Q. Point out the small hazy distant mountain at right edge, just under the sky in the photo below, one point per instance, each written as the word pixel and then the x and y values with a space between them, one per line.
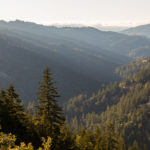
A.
pixel 143 30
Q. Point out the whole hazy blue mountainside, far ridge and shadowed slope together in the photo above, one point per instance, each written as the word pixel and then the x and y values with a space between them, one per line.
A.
pixel 82 59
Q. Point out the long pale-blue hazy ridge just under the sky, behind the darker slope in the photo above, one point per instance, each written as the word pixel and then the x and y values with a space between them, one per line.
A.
pixel 111 41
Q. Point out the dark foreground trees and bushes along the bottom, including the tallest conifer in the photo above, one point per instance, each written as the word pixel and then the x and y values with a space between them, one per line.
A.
pixel 44 125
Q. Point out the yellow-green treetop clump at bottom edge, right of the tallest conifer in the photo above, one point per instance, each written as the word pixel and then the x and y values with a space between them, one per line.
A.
pixel 105 139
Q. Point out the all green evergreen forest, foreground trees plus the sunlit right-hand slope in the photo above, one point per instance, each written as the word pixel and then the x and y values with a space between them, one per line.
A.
pixel 117 117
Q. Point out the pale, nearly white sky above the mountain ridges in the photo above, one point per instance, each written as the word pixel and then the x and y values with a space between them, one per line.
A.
pixel 109 12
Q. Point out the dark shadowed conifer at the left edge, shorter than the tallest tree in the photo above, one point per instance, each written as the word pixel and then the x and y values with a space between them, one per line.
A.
pixel 14 118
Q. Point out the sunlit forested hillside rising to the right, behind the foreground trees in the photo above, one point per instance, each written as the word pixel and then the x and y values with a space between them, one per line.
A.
pixel 126 104
